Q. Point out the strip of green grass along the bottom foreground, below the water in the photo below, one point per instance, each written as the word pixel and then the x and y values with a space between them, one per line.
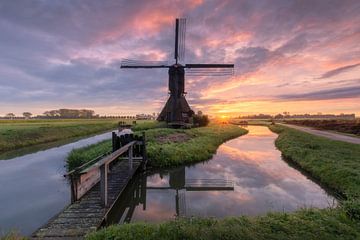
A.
pixel 304 224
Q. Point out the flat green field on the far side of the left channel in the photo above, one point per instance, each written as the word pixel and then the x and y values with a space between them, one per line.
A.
pixel 17 134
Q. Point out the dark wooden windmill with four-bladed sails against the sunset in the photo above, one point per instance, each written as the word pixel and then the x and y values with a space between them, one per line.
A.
pixel 177 111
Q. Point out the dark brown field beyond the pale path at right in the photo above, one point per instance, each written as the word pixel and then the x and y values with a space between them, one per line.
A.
pixel 344 126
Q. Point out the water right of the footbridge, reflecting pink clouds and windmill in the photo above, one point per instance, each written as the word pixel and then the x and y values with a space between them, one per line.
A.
pixel 262 182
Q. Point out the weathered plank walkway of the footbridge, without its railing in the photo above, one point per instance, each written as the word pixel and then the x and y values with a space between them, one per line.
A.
pixel 88 213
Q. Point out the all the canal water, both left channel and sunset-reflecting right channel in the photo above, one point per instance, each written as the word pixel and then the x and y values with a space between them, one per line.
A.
pixel 247 176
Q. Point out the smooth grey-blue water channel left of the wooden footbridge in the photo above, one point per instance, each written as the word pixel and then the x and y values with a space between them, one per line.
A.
pixel 33 189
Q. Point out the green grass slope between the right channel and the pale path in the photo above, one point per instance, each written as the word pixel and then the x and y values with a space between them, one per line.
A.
pixel 334 163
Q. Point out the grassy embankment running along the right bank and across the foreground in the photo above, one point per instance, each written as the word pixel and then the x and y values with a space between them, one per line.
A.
pixel 335 164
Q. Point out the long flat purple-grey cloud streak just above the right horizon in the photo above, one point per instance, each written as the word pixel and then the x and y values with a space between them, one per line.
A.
pixel 328 94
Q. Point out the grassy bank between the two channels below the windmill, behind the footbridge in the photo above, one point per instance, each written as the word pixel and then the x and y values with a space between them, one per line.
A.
pixel 168 147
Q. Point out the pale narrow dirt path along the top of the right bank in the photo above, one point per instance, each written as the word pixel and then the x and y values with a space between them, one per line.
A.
pixel 327 134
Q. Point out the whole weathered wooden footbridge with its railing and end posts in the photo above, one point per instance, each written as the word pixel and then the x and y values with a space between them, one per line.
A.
pixel 95 189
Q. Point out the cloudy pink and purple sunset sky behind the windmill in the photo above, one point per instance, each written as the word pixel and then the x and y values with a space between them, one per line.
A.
pixel 299 56
